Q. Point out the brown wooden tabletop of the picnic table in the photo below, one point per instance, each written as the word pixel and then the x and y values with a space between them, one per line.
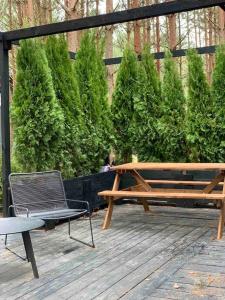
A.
pixel 171 166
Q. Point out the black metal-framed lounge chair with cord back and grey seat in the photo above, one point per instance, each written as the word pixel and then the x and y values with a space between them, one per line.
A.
pixel 42 195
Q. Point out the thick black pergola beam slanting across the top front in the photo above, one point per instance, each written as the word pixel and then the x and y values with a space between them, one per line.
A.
pixel 151 11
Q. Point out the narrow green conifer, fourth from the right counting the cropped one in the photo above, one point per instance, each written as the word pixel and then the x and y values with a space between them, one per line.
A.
pixel 147 110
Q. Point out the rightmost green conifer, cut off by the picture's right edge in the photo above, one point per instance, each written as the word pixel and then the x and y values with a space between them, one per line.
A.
pixel 218 92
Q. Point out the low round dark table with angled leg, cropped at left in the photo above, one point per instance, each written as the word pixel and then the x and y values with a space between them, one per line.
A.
pixel 21 225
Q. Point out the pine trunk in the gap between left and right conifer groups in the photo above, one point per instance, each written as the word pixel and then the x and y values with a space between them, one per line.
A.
pixel 109 49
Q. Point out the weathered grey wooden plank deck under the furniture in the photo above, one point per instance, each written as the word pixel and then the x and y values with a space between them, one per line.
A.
pixel 168 254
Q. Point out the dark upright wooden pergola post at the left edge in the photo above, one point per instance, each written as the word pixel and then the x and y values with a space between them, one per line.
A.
pixel 5 123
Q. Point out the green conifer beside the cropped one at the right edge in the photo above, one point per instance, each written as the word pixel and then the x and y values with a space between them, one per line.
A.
pixel 199 123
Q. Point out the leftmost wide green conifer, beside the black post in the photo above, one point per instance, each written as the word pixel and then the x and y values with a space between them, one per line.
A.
pixel 36 115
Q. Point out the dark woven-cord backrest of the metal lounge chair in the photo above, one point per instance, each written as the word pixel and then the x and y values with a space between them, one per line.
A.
pixel 39 191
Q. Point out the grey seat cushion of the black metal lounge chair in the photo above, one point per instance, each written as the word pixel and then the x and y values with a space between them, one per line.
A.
pixel 58 214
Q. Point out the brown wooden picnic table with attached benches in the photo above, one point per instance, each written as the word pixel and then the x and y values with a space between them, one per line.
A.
pixel 143 189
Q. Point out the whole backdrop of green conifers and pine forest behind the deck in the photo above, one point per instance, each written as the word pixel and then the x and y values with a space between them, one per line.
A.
pixel 69 114
